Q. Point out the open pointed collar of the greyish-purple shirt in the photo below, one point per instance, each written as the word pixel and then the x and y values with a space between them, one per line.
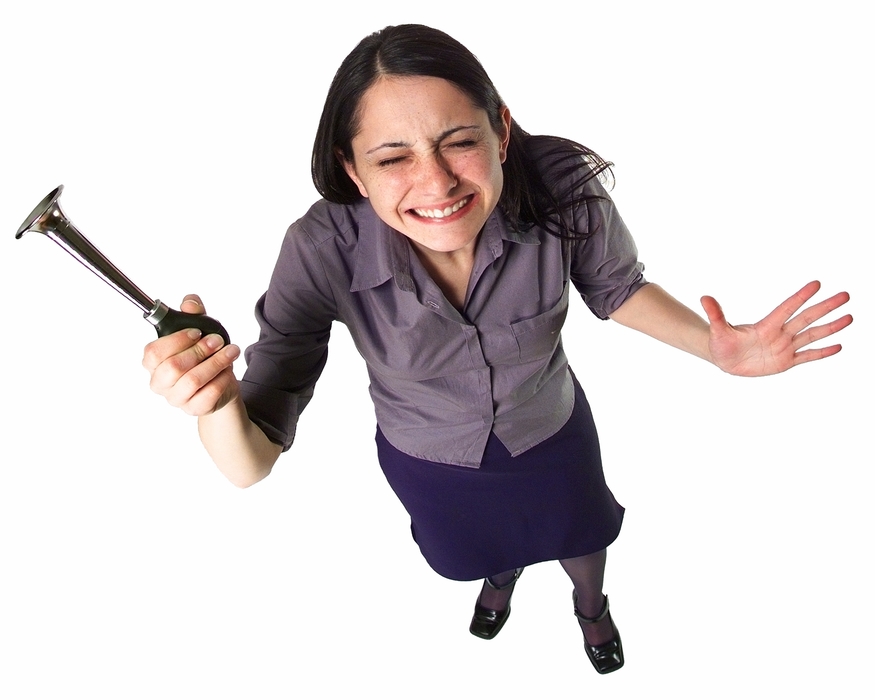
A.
pixel 383 253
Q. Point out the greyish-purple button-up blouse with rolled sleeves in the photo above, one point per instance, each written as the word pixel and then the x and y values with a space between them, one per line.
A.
pixel 441 380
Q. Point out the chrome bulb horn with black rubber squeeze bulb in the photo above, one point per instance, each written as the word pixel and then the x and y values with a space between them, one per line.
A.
pixel 48 218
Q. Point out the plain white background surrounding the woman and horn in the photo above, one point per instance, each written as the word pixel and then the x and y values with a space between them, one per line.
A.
pixel 182 132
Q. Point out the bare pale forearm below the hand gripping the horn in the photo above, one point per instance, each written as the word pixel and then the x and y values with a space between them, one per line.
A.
pixel 239 448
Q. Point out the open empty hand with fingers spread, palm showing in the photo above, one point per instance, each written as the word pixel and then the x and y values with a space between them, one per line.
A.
pixel 776 343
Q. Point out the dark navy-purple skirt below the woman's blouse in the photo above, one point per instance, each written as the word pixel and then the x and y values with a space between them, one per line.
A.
pixel 550 502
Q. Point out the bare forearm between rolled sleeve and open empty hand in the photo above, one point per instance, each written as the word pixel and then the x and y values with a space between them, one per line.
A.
pixel 656 313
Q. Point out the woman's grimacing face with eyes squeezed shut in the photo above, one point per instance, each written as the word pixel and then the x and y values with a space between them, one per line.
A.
pixel 428 160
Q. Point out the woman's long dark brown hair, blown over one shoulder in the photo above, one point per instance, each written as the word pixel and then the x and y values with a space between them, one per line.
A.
pixel 530 196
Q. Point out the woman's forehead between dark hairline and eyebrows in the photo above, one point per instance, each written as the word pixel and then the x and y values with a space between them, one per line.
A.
pixel 396 103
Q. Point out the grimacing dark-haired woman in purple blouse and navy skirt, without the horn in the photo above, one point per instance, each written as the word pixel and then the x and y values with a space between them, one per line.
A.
pixel 445 243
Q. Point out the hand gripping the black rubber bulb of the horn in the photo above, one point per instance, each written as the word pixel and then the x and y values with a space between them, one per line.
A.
pixel 192 372
